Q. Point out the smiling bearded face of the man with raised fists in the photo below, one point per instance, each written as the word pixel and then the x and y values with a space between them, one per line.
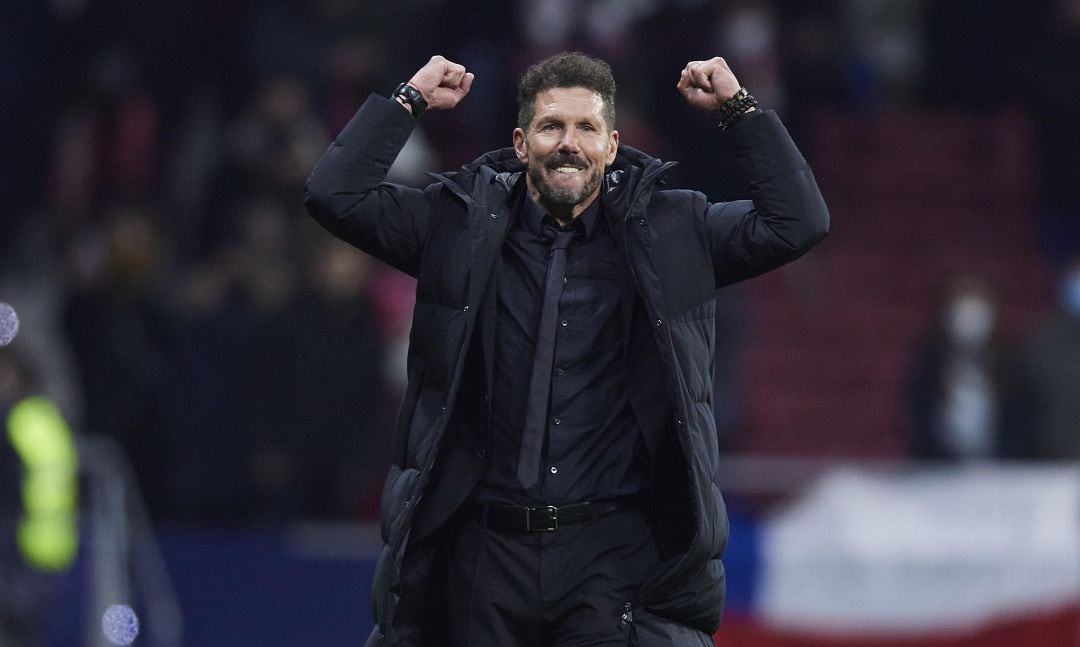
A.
pixel 566 147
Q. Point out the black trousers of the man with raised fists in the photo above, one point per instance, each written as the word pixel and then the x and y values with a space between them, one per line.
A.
pixel 562 588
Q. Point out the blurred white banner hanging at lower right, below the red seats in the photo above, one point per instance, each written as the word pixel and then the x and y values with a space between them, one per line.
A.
pixel 927 550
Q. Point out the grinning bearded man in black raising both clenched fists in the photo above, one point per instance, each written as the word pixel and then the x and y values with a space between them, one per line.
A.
pixel 556 453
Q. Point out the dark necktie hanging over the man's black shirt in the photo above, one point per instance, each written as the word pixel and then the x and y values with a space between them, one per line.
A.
pixel 536 411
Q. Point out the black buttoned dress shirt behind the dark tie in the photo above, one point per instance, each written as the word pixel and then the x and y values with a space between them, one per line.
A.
pixel 592 447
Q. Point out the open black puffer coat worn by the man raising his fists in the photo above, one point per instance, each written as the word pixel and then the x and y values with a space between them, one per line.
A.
pixel 681 249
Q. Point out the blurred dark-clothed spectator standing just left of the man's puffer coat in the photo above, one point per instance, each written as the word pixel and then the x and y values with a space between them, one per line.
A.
pixel 335 368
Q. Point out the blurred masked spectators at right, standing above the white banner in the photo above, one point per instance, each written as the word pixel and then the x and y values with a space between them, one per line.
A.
pixel 978 396
